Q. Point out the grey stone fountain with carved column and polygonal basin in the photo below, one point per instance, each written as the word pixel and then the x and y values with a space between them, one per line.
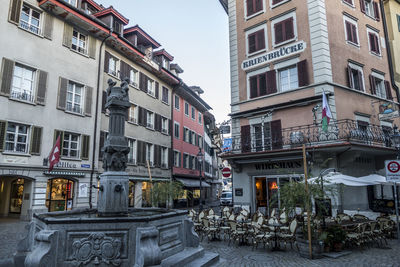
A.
pixel 112 234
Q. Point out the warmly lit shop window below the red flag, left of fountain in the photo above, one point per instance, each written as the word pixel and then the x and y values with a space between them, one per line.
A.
pixel 59 194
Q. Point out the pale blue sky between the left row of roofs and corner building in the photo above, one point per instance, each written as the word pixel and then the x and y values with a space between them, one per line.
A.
pixel 196 33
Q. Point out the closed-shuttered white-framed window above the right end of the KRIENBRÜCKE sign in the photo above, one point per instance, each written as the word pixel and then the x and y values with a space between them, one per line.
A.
pixel 284 29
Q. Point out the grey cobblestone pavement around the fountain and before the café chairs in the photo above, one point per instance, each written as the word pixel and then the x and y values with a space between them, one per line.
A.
pixel 12 230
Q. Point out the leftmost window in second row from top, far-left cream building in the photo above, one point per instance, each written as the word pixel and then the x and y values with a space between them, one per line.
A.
pixel 23 83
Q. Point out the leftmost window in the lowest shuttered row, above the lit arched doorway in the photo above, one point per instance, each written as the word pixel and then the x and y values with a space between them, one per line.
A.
pixel 17 138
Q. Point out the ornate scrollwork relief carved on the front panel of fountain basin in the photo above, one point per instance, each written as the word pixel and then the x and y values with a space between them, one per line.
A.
pixel 97 248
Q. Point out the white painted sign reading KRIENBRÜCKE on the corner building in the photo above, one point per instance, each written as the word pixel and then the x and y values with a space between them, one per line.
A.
pixel 279 53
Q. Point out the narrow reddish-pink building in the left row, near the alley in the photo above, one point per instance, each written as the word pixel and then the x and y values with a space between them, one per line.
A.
pixel 188 138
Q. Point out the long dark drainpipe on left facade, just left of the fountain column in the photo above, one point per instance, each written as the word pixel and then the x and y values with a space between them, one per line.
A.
pixel 95 119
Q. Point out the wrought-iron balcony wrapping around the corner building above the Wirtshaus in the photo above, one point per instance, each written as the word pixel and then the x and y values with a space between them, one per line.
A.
pixel 312 135
